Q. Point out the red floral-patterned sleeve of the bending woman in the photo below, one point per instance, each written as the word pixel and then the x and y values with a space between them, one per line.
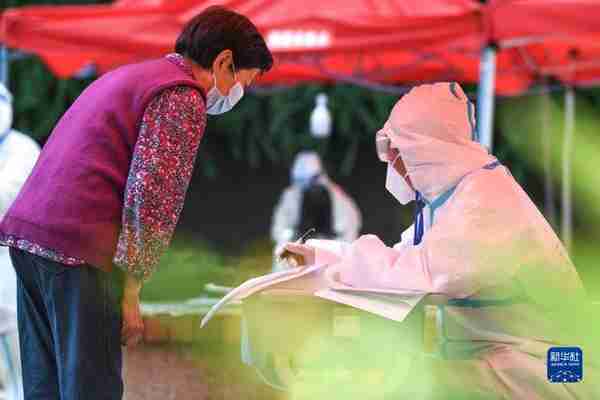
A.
pixel 161 168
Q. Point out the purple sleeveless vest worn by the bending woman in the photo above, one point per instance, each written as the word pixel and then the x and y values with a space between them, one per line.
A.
pixel 73 199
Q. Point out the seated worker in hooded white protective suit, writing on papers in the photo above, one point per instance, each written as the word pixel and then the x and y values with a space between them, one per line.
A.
pixel 479 240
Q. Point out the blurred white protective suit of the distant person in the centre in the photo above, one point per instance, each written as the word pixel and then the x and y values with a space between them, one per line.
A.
pixel 347 219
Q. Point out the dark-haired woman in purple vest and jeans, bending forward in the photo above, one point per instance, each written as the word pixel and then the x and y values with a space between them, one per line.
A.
pixel 107 192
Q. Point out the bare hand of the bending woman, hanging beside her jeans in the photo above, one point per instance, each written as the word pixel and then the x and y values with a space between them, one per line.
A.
pixel 132 330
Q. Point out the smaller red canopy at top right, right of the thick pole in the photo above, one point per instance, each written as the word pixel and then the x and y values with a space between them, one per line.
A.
pixel 558 38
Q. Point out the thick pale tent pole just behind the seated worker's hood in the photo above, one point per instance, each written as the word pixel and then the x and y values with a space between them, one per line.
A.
pixel 485 97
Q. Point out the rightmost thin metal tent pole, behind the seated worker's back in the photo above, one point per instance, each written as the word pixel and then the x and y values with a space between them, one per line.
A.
pixel 567 200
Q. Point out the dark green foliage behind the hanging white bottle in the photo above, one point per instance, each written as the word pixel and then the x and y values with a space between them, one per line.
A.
pixel 273 128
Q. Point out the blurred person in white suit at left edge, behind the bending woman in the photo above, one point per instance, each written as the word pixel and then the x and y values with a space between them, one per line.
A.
pixel 18 154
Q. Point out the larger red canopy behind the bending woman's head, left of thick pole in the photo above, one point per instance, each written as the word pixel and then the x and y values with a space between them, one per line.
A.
pixel 387 41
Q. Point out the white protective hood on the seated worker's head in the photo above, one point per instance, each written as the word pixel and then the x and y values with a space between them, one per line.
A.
pixel 433 128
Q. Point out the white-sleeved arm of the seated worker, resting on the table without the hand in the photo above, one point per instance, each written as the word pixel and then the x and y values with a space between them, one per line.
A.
pixel 473 244
